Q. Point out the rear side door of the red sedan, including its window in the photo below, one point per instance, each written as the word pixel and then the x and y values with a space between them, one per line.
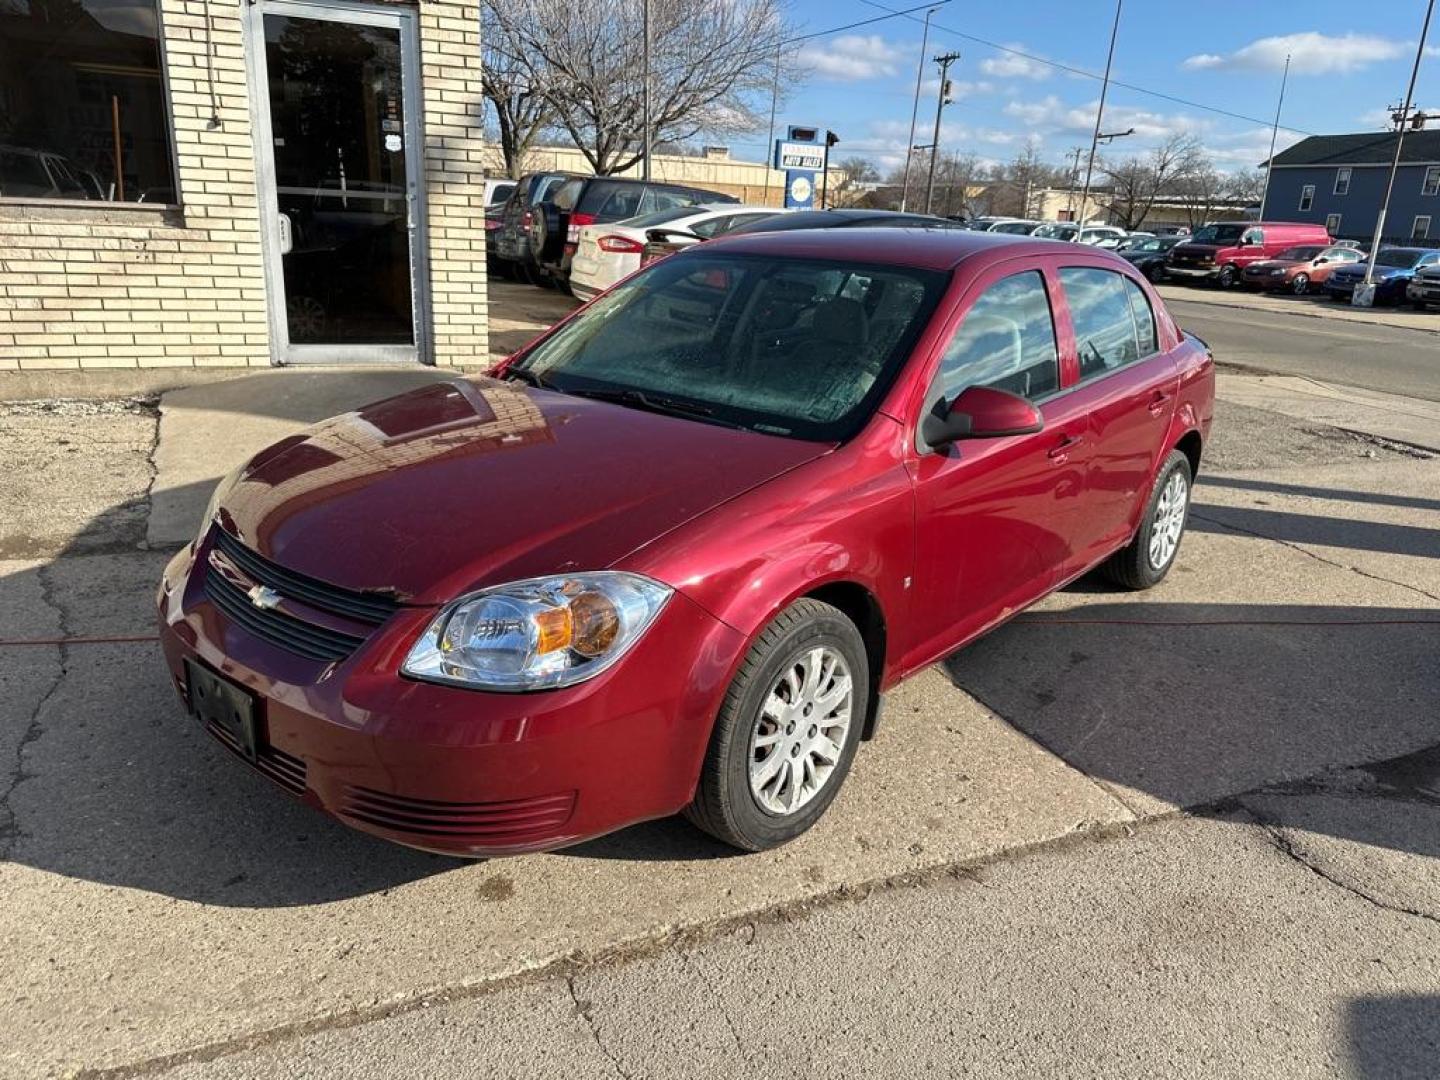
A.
pixel 1125 382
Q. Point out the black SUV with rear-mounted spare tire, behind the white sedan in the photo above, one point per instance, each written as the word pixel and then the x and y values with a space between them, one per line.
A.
pixel 555 228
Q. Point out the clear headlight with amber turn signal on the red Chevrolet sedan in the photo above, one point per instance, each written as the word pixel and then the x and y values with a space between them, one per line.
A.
pixel 538 634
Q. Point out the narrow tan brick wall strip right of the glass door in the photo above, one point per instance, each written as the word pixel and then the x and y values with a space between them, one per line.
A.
pixel 456 179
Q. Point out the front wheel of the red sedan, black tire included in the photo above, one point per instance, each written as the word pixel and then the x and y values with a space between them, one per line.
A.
pixel 726 803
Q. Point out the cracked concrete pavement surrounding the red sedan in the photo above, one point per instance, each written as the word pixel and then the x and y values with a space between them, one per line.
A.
pixel 1120 816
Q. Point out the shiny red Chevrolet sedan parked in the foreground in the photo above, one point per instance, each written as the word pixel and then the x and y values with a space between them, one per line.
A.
pixel 673 554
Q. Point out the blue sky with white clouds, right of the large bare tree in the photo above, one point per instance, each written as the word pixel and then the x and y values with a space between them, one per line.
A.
pixel 1223 54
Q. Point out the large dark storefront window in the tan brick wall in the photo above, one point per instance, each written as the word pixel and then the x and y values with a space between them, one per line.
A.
pixel 83 107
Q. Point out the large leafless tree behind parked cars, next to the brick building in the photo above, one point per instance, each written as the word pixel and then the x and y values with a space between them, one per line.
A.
pixel 711 61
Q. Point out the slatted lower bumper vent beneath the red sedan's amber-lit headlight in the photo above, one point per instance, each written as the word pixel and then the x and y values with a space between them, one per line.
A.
pixel 515 822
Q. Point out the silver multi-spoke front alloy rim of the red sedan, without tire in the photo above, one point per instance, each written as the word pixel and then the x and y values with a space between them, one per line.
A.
pixel 800 734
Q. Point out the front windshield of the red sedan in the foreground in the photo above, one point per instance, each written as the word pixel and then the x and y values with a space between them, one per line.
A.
pixel 798 348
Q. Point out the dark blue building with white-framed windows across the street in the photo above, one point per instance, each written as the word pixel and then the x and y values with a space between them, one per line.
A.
pixel 1340 182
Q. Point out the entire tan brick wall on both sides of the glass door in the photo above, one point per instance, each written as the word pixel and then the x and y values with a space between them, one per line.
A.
pixel 87 286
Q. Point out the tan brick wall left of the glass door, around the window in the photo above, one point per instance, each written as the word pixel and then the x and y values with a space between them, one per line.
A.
pixel 136 287
